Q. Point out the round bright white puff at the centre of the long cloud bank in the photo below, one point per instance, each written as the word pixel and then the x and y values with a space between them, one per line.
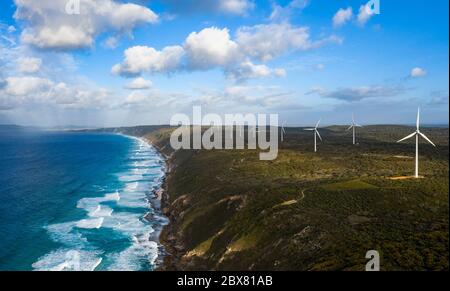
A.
pixel 210 47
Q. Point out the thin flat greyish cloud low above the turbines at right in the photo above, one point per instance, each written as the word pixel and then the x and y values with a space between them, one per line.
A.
pixel 358 93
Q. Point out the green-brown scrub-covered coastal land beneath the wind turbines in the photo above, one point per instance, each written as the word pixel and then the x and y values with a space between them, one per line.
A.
pixel 309 211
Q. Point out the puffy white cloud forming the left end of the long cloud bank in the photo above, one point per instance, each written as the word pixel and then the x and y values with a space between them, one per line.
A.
pixel 139 59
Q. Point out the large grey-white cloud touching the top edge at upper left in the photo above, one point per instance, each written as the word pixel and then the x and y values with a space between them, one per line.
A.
pixel 48 26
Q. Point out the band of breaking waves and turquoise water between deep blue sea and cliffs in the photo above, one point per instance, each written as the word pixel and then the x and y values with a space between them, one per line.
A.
pixel 114 231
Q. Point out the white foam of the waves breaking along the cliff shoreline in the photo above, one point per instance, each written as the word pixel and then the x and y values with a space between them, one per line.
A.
pixel 143 174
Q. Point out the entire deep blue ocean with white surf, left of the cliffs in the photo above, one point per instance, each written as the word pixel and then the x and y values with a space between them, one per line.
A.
pixel 79 201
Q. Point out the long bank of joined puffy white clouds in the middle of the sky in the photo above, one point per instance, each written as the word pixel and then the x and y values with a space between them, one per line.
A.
pixel 215 48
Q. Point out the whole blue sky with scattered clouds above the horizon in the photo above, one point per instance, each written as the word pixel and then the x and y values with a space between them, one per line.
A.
pixel 122 63
